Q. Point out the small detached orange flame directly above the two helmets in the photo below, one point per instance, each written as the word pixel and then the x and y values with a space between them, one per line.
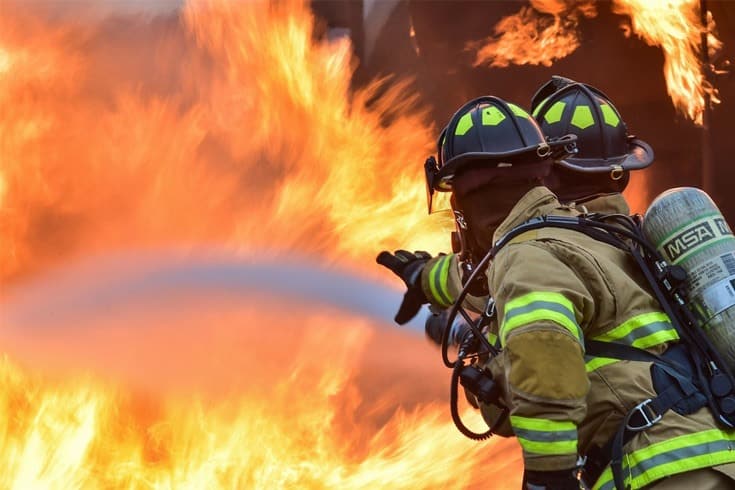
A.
pixel 527 38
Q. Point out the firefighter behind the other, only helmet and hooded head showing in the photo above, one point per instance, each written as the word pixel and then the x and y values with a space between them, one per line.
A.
pixel 598 174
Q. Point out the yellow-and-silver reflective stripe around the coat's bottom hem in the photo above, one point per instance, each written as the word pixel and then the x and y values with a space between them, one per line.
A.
pixel 672 456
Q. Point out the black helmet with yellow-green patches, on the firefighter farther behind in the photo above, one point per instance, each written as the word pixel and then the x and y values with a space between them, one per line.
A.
pixel 603 142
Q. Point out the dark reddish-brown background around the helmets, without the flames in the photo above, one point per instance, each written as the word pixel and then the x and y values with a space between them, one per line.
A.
pixel 427 40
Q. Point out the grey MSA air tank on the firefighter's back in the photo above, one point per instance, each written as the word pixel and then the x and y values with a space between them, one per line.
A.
pixel 687 228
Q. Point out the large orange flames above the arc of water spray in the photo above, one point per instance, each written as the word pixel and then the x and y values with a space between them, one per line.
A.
pixel 256 141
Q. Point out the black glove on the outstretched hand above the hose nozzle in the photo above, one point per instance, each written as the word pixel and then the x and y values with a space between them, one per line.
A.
pixel 407 266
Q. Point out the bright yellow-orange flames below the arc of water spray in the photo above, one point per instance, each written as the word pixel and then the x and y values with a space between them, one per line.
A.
pixel 301 422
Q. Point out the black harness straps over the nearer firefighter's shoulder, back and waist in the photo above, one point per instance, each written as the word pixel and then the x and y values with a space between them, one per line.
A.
pixel 711 374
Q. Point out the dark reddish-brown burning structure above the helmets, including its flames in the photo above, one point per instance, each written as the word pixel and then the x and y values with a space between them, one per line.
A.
pixel 638 56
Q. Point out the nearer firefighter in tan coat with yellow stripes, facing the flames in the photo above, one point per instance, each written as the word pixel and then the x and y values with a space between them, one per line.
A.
pixel 553 289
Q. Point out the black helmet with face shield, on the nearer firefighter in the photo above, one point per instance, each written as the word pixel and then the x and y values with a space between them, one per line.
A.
pixel 488 132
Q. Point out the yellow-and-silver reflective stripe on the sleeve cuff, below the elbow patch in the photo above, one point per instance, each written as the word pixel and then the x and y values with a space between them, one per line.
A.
pixel 545 437
